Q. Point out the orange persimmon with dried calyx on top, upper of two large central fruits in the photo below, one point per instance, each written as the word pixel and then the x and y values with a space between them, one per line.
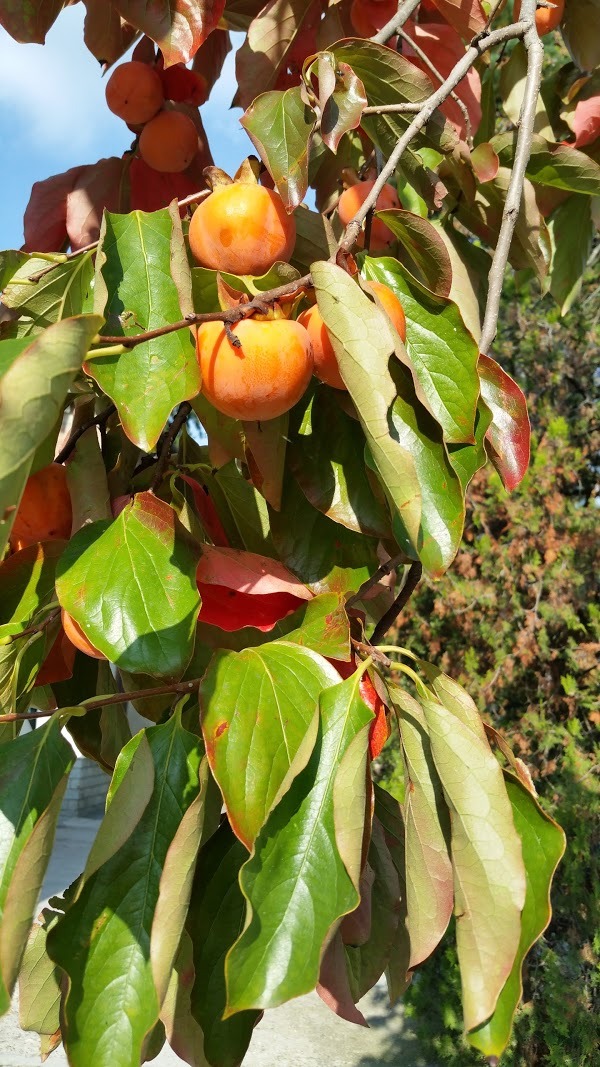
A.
pixel 243 230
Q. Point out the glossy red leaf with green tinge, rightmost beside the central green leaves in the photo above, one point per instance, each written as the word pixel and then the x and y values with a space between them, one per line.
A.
pixel 509 438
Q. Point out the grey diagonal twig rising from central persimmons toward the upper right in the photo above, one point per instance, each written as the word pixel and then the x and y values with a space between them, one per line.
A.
pixel 480 45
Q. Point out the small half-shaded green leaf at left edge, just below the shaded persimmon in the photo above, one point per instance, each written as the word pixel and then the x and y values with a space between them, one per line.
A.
pixel 27 581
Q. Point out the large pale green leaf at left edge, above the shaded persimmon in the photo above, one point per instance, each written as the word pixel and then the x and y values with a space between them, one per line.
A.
pixel 33 391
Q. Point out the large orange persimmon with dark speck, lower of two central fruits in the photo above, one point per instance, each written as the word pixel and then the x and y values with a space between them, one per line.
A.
pixel 263 378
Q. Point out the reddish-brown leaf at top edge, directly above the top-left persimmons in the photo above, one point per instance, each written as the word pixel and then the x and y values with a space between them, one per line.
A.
pixel 178 27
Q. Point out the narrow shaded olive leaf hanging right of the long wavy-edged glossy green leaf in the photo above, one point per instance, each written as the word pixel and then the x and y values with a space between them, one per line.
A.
pixel 367 963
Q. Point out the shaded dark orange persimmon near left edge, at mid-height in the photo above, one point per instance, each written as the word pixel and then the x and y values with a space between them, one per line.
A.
pixel 45 512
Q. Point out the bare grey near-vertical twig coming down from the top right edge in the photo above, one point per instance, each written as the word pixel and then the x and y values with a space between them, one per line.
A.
pixel 513 203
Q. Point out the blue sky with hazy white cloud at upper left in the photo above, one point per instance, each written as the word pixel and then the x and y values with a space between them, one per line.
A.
pixel 54 116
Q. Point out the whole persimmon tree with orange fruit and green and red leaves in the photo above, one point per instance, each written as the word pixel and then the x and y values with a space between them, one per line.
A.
pixel 236 432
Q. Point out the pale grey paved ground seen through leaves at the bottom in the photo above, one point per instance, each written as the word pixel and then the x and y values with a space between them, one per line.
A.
pixel 301 1034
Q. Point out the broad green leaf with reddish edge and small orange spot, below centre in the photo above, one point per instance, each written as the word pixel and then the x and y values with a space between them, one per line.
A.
pixel 260 712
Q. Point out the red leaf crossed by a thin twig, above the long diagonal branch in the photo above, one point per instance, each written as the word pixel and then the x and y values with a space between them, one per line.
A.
pixel 445 49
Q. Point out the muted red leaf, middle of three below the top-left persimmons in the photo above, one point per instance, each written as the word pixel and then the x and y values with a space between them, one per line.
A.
pixel 102 185
